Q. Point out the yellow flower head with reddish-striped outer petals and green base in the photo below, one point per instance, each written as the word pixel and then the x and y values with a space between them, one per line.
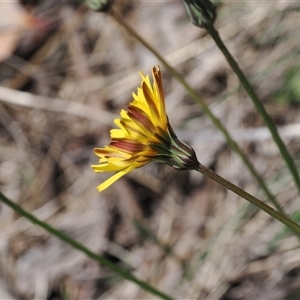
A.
pixel 144 135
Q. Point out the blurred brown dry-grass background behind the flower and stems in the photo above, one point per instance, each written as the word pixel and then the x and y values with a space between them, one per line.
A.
pixel 65 73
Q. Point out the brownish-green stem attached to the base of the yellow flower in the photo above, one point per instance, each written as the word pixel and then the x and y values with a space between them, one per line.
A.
pixel 261 205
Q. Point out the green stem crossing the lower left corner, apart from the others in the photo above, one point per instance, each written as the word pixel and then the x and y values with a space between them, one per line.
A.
pixel 65 238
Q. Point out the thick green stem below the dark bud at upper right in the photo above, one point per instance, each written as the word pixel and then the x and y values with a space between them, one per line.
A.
pixel 257 103
